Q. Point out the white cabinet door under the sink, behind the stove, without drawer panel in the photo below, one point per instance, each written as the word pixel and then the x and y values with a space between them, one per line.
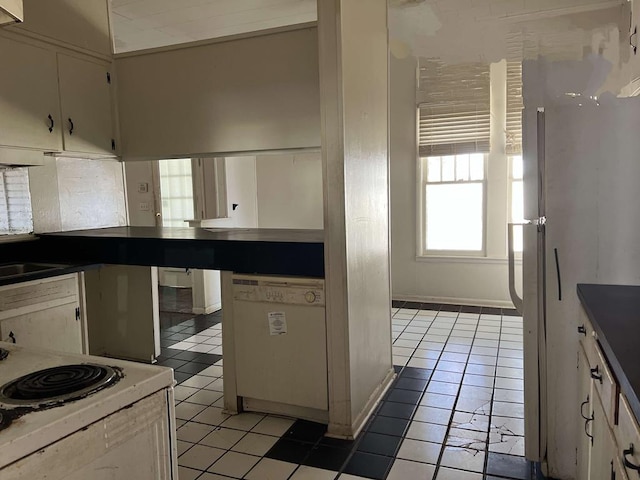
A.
pixel 57 328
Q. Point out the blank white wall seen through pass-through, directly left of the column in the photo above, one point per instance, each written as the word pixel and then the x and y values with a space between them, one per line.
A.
pixel 289 191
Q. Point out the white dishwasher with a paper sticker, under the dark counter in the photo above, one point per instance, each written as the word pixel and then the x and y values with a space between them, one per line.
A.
pixel 280 344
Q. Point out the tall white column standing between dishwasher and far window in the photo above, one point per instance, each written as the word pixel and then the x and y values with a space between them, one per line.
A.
pixel 354 120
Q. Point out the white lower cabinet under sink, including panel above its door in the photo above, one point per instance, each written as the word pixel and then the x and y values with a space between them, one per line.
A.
pixel 43 313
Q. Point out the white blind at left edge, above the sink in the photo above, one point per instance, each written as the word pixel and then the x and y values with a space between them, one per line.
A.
pixel 15 201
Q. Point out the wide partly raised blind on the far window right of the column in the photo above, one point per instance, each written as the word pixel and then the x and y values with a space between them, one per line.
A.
pixel 455 114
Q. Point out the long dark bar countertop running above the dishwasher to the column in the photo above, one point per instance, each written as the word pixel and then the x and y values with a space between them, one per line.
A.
pixel 243 250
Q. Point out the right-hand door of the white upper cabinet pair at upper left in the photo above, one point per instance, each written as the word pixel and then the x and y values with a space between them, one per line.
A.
pixel 85 99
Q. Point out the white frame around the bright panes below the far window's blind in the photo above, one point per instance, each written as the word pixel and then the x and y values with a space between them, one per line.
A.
pixel 423 251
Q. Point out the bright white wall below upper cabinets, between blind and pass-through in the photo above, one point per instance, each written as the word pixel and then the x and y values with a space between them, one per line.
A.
pixel 75 193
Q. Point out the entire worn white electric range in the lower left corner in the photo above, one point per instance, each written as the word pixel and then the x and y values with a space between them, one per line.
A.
pixel 74 417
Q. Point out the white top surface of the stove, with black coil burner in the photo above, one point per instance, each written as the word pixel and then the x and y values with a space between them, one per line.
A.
pixel 32 424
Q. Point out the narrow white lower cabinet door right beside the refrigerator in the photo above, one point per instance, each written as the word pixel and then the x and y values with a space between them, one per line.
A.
pixel 584 413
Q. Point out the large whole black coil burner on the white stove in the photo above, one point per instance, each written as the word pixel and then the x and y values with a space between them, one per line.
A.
pixel 58 384
